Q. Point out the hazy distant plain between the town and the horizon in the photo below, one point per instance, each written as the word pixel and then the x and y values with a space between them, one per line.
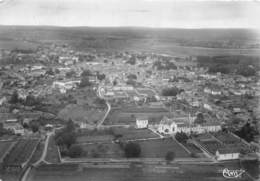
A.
pixel 165 41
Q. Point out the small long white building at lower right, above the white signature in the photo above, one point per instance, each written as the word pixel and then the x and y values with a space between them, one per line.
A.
pixel 227 154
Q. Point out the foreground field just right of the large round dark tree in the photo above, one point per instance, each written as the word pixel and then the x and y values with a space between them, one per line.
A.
pixel 159 148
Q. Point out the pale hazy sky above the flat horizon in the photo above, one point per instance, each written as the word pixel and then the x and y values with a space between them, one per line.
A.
pixel 144 13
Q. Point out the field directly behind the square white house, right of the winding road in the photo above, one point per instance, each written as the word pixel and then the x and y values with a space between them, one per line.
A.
pixel 127 116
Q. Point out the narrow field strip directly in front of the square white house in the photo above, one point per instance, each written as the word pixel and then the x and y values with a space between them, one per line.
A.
pixel 132 134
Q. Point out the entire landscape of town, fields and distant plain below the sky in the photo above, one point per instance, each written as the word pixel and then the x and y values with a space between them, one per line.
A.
pixel 128 103
